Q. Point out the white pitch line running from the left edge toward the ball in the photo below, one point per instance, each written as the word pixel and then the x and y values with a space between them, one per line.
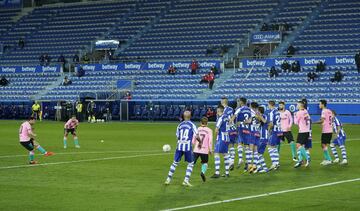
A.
pixel 81 161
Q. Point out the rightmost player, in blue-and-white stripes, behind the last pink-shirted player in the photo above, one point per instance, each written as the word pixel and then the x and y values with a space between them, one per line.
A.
pixel 339 141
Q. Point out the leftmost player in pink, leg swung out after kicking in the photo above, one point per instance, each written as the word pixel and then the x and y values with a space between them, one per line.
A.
pixel 27 140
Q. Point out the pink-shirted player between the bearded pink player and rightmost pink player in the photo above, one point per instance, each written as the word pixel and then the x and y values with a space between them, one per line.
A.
pixel 302 119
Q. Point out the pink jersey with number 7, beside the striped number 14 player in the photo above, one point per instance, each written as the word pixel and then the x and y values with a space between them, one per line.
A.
pixel 205 134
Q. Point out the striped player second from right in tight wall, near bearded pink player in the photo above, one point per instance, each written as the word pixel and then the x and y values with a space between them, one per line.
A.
pixel 264 137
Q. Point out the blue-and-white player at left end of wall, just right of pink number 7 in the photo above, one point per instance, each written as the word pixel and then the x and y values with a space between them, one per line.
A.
pixel 222 142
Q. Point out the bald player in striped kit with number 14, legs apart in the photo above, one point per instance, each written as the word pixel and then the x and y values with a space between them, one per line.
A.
pixel 184 133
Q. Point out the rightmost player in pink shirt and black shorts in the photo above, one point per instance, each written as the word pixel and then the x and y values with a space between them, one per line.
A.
pixel 326 120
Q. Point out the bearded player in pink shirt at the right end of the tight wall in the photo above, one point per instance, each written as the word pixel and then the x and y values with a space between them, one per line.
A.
pixel 286 124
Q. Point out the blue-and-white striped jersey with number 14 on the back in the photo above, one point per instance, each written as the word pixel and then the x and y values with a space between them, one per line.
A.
pixel 184 133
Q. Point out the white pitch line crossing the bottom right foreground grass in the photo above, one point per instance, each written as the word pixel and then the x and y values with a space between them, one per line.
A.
pixel 263 195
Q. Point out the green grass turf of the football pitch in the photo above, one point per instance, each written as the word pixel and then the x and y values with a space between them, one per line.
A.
pixel 137 183
